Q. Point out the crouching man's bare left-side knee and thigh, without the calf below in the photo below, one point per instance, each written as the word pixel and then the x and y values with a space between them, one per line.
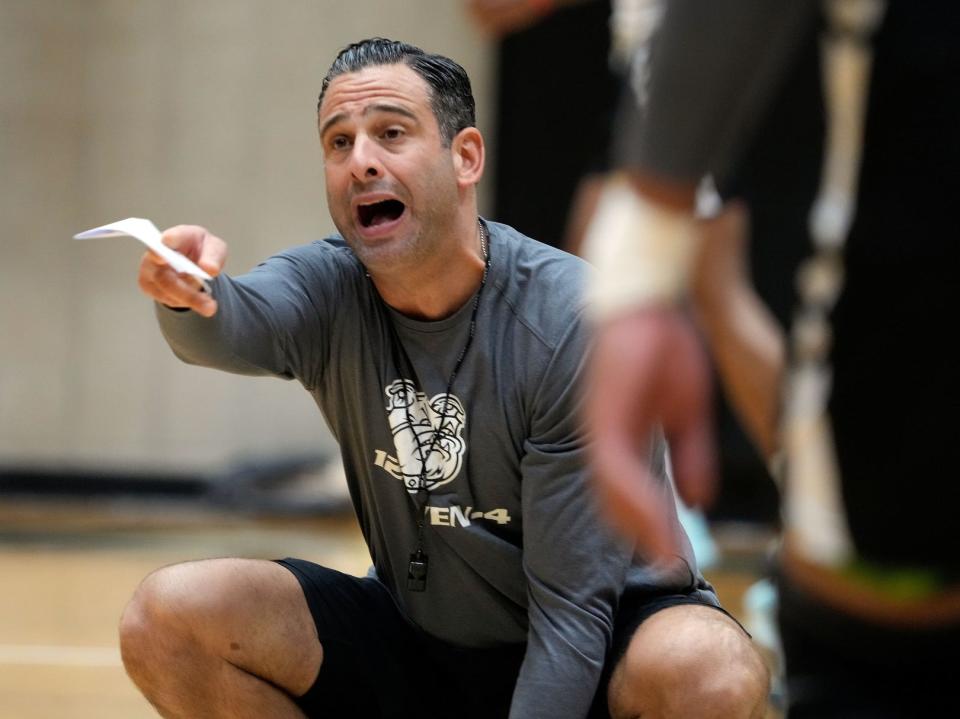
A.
pixel 190 618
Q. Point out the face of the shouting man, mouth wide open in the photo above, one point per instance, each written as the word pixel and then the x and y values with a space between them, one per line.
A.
pixel 391 185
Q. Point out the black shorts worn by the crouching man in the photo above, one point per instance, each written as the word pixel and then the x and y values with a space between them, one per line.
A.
pixel 378 664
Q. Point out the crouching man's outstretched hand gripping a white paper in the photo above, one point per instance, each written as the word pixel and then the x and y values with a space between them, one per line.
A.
pixel 160 282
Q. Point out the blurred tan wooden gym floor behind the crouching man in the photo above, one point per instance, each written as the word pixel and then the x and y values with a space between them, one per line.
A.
pixel 66 572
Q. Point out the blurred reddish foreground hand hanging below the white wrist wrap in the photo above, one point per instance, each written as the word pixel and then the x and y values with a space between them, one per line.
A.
pixel 648 368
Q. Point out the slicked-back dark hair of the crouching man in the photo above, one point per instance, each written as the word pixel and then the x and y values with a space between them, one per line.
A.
pixel 451 98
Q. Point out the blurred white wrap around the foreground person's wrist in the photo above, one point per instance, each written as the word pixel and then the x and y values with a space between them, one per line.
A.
pixel 643 252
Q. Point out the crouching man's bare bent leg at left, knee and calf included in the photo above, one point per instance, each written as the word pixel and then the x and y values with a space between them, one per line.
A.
pixel 221 638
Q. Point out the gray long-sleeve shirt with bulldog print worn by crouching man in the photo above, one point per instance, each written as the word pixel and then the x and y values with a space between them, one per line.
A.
pixel 516 550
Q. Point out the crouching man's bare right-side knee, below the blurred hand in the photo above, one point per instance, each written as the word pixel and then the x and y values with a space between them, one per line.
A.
pixel 689 661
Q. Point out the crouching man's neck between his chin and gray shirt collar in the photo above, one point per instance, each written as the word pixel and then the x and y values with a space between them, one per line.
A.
pixel 440 288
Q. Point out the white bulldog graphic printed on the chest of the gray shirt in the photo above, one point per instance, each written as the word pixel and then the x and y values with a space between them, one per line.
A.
pixel 415 423
